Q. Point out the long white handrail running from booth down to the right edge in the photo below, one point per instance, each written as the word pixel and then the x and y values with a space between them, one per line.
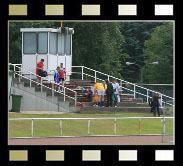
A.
pixel 123 81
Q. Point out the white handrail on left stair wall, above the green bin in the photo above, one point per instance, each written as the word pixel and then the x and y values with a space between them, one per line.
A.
pixel 20 68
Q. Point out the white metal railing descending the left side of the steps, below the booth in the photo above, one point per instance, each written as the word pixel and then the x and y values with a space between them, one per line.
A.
pixel 20 75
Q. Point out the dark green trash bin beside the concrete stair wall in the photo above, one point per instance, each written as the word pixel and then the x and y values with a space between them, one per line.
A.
pixel 16 102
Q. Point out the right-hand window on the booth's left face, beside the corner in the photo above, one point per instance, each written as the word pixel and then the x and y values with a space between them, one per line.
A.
pixel 42 43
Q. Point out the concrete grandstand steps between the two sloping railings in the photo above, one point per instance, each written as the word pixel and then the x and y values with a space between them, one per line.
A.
pixel 127 101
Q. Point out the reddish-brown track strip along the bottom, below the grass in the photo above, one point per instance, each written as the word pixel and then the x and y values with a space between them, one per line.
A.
pixel 108 140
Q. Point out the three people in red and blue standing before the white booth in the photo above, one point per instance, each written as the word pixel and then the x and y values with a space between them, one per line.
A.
pixel 59 75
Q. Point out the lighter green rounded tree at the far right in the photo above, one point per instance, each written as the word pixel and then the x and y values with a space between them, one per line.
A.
pixel 159 48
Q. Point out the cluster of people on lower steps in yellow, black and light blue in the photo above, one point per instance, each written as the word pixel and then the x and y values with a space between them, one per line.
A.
pixel 110 89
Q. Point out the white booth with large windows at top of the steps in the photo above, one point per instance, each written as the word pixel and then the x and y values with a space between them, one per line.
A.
pixel 52 45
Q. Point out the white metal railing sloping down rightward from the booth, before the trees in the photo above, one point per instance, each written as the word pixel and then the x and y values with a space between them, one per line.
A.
pixel 133 90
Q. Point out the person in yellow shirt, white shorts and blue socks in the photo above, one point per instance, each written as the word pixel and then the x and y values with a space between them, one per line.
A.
pixel 101 91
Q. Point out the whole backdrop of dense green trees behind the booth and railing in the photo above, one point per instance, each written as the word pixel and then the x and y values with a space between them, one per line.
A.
pixel 107 46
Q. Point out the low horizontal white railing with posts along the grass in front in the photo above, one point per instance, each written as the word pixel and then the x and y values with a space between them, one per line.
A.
pixel 163 119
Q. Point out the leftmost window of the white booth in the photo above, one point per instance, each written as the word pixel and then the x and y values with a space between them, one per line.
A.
pixel 30 43
